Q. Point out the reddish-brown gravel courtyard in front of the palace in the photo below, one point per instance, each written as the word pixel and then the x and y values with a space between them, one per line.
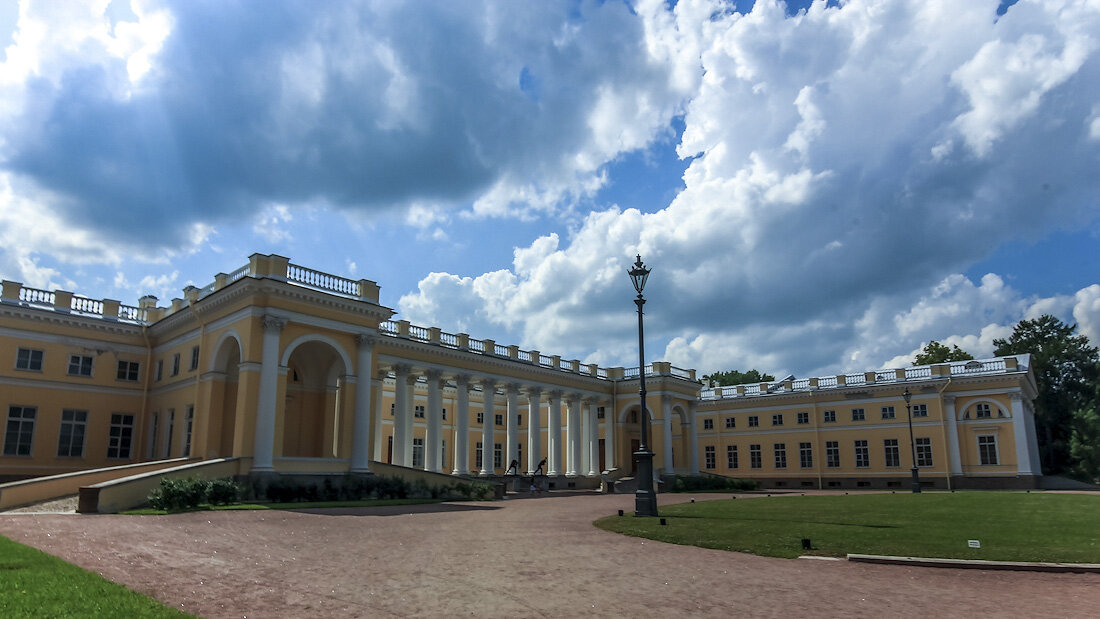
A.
pixel 524 557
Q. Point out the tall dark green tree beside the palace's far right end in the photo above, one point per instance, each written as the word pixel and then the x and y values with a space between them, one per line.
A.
pixel 1066 370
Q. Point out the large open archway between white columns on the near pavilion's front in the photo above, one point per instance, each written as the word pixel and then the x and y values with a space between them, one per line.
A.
pixel 314 392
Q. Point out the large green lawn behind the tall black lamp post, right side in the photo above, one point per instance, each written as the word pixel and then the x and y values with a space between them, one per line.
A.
pixel 1010 526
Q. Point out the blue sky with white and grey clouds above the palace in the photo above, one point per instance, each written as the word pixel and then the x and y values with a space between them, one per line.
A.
pixel 818 187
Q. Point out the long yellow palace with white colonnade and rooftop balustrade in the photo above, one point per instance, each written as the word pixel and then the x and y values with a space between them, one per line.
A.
pixel 293 371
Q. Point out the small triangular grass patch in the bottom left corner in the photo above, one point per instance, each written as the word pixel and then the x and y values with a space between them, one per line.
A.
pixel 36 584
